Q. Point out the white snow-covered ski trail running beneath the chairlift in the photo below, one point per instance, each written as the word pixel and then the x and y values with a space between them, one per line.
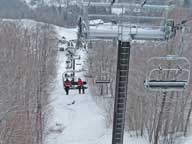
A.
pixel 82 122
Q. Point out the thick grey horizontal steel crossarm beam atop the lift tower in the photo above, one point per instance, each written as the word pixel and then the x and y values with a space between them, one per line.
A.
pixel 108 31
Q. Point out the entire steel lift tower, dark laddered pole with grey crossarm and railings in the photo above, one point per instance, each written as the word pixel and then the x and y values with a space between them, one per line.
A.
pixel 98 25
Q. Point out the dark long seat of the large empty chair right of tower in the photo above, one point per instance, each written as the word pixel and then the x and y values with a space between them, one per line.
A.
pixel 166 84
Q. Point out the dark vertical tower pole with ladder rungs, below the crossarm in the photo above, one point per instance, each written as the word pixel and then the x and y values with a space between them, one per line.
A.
pixel 121 91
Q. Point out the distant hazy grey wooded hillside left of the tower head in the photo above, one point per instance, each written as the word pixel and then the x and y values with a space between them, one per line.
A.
pixel 61 15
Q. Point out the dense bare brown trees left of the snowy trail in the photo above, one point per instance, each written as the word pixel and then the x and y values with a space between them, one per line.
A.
pixel 27 60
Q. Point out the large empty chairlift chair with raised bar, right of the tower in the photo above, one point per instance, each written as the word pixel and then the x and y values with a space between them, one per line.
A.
pixel 168 75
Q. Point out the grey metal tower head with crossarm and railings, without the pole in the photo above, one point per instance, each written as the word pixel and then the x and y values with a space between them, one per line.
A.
pixel 108 30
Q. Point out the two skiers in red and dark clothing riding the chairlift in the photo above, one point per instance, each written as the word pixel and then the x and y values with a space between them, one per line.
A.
pixel 68 84
